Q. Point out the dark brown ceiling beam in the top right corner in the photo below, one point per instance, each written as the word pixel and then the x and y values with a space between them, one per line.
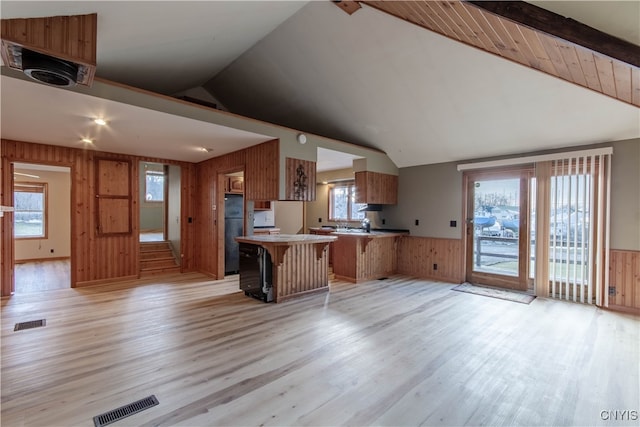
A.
pixel 568 29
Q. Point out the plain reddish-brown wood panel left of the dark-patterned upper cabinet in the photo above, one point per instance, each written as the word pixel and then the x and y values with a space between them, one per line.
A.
pixel 262 171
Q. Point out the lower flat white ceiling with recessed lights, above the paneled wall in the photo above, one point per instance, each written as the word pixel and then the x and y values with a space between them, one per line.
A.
pixel 38 113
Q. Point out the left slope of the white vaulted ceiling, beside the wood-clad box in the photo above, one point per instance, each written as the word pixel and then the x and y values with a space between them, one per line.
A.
pixel 166 46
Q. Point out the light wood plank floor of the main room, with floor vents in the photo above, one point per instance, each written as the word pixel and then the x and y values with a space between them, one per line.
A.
pixel 393 352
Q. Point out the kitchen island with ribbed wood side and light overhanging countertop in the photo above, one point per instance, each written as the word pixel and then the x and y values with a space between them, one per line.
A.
pixel 299 263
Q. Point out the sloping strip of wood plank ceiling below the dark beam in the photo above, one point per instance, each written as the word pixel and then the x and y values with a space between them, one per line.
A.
pixel 469 24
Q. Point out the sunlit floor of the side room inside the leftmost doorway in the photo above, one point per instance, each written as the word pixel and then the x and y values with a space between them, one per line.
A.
pixel 39 276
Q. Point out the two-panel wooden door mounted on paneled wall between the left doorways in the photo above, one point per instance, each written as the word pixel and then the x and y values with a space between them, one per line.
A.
pixel 113 197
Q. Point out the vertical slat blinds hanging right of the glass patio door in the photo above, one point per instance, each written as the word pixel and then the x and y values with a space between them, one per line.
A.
pixel 578 238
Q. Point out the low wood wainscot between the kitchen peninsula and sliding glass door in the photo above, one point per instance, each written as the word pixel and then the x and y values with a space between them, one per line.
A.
pixel 417 256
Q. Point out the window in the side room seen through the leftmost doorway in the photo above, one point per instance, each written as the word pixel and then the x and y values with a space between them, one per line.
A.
pixel 30 210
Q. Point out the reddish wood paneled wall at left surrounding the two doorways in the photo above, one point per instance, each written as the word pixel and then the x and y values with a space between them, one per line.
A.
pixel 94 259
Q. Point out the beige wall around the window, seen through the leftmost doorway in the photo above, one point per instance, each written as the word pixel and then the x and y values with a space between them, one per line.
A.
pixel 58 218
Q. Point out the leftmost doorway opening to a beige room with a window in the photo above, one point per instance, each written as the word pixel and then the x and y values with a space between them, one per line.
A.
pixel 42 227
